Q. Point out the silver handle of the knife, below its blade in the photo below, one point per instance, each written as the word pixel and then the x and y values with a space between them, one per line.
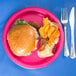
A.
pixel 72 52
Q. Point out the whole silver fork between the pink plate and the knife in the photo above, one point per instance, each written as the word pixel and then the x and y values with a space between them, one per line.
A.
pixel 64 20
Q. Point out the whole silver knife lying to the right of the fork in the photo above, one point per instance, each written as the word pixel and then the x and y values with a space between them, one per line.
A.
pixel 72 22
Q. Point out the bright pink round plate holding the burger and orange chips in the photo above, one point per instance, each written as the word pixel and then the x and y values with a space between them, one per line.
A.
pixel 32 61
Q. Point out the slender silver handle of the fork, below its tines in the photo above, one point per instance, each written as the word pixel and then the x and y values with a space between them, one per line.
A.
pixel 66 50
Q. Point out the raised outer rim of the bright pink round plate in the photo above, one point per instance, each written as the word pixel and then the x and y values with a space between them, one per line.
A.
pixel 16 61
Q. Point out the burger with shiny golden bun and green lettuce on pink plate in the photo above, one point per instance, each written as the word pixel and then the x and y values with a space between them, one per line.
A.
pixel 22 38
